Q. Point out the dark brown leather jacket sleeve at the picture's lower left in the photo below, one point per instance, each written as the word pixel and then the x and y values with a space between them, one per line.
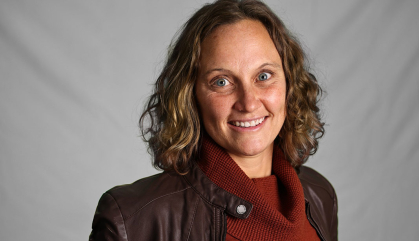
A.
pixel 108 223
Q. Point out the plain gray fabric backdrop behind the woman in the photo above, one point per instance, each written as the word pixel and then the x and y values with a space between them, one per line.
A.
pixel 74 76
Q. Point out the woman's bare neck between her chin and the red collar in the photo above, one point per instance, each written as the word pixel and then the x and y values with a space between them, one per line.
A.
pixel 255 166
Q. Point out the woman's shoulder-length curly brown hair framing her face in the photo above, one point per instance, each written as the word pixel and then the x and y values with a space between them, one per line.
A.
pixel 170 122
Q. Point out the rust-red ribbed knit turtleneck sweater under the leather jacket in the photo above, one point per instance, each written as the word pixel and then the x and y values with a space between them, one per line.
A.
pixel 278 201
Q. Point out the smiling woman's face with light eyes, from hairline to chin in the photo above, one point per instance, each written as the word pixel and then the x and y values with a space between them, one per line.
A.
pixel 241 88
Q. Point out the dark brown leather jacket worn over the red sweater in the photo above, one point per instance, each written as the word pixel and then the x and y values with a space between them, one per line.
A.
pixel 168 206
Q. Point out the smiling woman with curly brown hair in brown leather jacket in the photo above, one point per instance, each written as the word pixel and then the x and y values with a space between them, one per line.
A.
pixel 232 119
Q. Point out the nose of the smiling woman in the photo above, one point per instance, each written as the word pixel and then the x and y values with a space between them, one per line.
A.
pixel 247 99
